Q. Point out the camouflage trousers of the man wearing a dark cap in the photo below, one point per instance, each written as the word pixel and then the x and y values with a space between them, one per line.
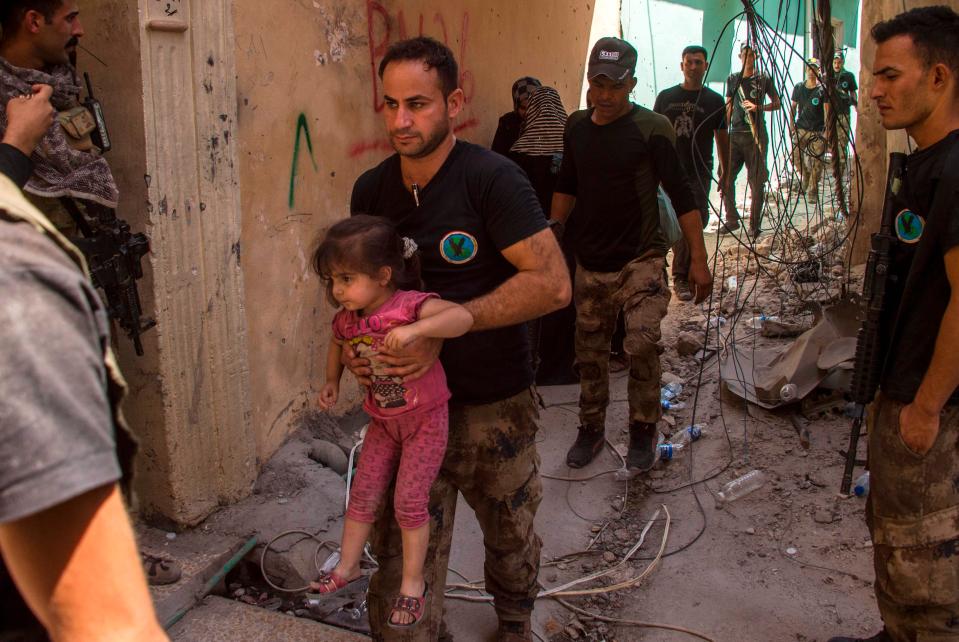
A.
pixel 641 292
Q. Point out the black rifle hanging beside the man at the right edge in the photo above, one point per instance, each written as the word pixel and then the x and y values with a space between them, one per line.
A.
pixel 868 363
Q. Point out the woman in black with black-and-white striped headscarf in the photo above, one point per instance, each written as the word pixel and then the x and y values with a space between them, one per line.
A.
pixel 539 151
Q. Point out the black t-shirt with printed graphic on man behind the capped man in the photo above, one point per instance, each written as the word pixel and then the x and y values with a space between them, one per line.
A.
pixel 695 115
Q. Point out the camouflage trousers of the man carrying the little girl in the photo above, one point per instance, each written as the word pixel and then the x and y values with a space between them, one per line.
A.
pixel 491 458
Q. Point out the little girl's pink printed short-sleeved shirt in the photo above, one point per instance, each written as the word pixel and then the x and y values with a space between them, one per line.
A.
pixel 389 396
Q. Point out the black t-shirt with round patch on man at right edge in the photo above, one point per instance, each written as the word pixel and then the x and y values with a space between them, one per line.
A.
pixel 919 290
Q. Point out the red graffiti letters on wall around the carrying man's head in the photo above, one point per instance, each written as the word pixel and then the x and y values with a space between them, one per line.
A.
pixel 380 32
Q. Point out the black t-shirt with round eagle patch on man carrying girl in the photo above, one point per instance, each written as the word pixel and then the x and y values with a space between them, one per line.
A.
pixel 478 204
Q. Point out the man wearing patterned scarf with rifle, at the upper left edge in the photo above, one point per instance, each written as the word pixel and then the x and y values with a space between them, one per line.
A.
pixel 64 175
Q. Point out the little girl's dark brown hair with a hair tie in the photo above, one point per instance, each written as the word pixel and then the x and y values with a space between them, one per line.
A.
pixel 365 244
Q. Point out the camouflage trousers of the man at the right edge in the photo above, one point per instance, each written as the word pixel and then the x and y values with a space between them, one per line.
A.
pixel 913 517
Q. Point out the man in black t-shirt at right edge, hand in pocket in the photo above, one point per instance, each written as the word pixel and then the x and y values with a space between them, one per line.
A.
pixel 909 343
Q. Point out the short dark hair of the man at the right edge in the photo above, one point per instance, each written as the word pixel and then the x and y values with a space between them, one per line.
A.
pixel 934 32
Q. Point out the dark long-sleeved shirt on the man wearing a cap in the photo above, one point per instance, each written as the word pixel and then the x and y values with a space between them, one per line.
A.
pixel 613 170
